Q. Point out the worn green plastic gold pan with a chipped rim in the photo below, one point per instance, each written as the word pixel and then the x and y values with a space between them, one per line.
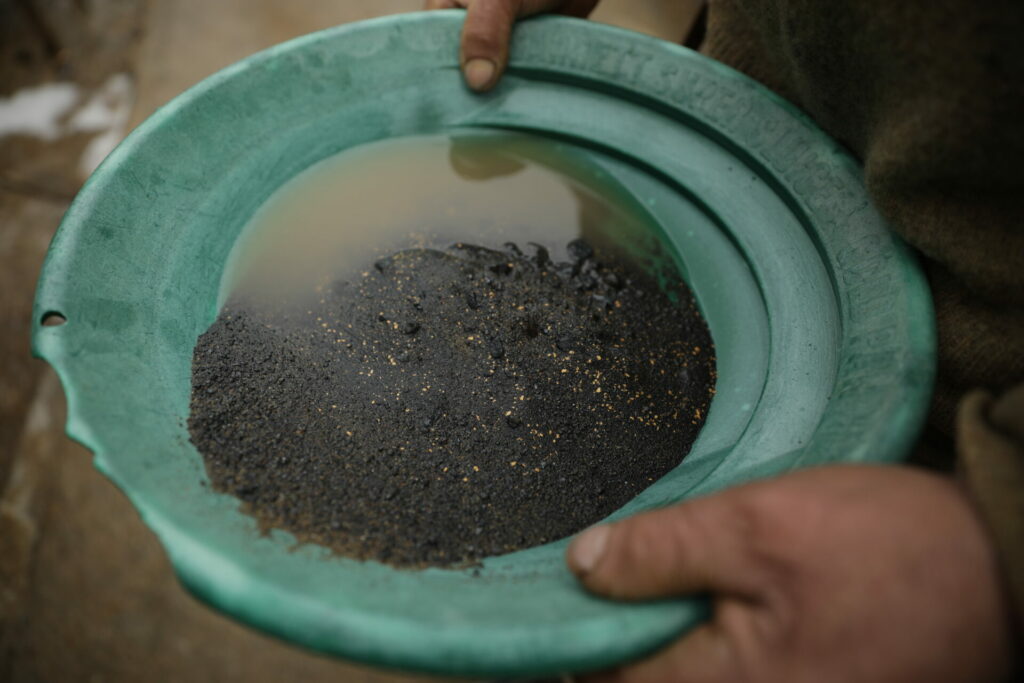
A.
pixel 822 320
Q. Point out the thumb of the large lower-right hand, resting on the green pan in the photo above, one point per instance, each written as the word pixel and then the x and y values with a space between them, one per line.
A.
pixel 702 546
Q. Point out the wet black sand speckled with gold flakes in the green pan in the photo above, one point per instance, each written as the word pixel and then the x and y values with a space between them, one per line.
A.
pixel 447 406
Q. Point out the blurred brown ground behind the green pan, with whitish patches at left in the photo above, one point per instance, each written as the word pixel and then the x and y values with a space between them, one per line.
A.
pixel 87 593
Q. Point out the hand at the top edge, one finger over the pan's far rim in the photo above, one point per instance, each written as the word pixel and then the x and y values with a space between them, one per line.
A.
pixel 486 34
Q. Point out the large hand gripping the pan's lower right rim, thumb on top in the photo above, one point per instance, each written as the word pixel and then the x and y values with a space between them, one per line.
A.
pixel 852 574
